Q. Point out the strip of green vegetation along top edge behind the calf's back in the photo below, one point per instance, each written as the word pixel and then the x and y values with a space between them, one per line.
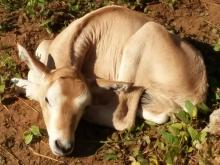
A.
pixel 54 18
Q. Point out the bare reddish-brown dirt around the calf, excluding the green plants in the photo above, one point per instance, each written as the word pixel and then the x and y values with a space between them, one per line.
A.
pixel 196 20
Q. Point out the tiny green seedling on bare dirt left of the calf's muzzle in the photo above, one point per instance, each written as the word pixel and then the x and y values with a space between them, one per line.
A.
pixel 33 133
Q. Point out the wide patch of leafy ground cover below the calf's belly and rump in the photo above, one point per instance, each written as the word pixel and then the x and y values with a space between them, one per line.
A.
pixel 171 143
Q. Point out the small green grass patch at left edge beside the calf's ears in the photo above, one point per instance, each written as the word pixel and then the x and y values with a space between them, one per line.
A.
pixel 8 69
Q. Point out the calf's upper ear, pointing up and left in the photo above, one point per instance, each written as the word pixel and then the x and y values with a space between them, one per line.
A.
pixel 32 62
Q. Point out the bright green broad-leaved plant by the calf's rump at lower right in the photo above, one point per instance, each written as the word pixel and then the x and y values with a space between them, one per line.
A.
pixel 180 136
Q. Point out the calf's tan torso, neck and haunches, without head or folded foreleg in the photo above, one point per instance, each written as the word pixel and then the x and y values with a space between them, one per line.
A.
pixel 145 55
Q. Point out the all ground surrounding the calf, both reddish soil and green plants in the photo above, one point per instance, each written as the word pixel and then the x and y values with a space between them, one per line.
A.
pixel 181 141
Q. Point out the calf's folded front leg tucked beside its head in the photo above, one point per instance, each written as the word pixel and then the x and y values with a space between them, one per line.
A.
pixel 121 110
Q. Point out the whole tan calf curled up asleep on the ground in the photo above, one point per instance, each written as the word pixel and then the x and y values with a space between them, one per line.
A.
pixel 151 71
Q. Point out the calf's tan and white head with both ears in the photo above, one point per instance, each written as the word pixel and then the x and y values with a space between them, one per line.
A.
pixel 63 96
